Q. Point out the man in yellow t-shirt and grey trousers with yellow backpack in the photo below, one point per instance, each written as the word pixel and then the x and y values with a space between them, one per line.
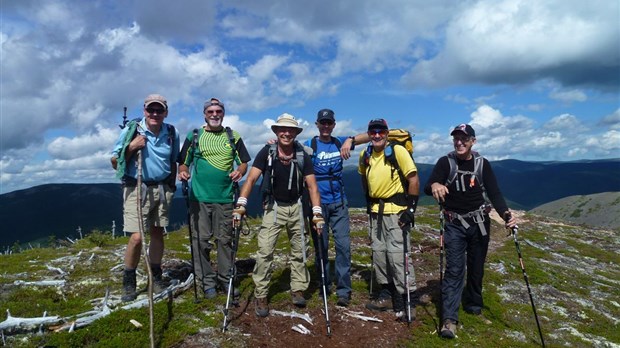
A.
pixel 389 177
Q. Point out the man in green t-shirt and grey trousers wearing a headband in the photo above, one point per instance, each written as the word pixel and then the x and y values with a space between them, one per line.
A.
pixel 213 151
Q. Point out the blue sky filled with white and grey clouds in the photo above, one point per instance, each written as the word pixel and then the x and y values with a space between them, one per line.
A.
pixel 538 80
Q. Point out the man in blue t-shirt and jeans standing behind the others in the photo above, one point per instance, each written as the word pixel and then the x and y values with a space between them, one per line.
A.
pixel 328 163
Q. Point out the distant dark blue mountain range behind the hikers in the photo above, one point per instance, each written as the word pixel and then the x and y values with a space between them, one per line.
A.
pixel 59 209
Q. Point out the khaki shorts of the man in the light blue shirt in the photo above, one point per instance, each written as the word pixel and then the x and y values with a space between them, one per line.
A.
pixel 155 207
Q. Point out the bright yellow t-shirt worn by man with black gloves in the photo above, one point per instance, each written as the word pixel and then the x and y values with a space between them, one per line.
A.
pixel 383 182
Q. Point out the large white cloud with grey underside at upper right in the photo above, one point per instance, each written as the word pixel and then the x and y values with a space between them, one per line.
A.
pixel 517 41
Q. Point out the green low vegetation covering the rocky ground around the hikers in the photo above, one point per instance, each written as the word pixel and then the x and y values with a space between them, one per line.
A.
pixel 573 274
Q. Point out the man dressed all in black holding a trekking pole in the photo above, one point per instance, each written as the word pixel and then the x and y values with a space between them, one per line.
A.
pixel 467 223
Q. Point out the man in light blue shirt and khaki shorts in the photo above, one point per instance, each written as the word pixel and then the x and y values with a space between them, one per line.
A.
pixel 159 143
